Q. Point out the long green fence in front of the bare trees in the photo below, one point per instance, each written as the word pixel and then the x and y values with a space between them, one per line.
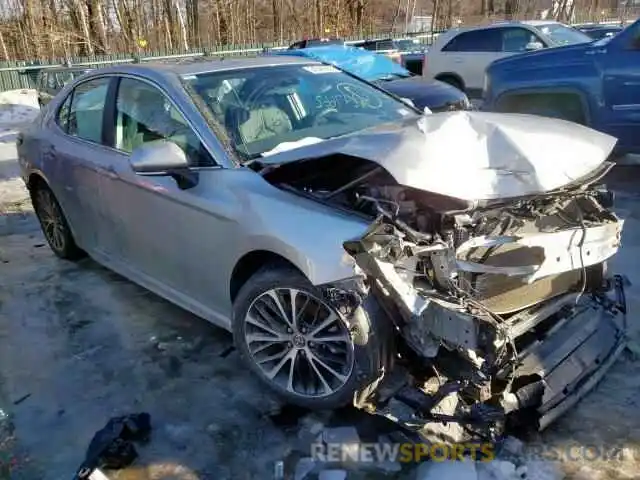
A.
pixel 18 75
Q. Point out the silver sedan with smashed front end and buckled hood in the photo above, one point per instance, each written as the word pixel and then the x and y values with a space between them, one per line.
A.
pixel 446 271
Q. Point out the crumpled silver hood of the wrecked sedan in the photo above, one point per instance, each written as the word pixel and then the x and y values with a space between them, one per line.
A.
pixel 473 156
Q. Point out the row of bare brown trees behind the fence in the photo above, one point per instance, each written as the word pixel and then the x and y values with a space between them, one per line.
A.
pixel 51 29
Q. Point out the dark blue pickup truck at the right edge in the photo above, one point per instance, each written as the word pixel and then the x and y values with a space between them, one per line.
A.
pixel 596 84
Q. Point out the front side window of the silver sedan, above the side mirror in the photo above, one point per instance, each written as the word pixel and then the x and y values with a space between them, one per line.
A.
pixel 145 114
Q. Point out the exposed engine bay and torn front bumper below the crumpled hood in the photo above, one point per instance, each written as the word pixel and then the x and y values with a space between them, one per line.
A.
pixel 505 312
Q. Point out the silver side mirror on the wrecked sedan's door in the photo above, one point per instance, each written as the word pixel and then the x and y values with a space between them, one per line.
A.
pixel 163 158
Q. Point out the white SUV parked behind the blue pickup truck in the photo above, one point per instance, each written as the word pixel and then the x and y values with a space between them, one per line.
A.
pixel 460 56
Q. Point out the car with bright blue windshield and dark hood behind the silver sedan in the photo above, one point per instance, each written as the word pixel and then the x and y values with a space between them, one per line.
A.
pixel 376 68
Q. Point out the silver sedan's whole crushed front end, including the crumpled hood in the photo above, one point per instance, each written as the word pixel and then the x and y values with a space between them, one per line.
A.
pixel 487 251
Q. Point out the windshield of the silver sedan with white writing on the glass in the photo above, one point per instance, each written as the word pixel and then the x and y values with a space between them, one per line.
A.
pixel 262 108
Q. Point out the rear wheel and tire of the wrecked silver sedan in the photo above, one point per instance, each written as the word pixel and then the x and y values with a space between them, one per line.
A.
pixel 61 240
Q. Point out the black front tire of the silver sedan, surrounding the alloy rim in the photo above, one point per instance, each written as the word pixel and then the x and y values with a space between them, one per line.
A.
pixel 370 333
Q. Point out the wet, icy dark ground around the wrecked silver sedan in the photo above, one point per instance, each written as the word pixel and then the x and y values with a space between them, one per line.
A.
pixel 79 344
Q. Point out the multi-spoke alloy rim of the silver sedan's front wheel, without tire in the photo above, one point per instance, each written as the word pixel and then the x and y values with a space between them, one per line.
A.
pixel 299 342
